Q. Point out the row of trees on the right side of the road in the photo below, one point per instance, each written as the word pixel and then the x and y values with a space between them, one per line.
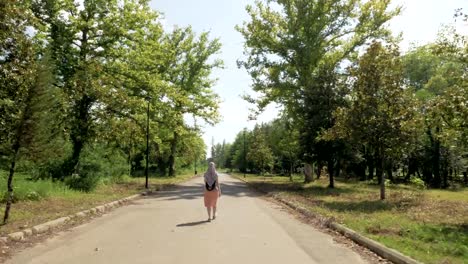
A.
pixel 352 103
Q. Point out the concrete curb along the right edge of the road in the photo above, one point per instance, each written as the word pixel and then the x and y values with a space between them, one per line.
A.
pixel 375 246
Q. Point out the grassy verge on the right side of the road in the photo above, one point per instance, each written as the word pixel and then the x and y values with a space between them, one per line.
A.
pixel 428 225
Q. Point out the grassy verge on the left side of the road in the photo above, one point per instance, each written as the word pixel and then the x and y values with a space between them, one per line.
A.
pixel 41 201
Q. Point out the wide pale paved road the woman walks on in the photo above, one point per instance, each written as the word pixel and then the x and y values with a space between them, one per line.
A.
pixel 171 228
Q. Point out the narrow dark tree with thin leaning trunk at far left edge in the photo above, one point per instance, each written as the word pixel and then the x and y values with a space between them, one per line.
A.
pixel 18 70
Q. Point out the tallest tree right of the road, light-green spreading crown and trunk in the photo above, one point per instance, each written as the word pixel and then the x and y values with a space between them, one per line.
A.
pixel 294 49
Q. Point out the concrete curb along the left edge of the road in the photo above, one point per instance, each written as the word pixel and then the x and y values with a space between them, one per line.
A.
pixel 45 227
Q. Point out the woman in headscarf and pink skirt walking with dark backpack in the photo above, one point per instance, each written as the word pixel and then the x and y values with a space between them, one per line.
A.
pixel 212 190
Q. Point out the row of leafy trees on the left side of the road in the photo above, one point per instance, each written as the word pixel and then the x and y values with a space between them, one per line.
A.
pixel 83 77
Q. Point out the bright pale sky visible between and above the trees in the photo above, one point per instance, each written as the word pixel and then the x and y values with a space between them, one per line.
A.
pixel 419 23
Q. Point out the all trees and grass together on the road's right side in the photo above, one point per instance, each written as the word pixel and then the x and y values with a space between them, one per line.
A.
pixel 369 134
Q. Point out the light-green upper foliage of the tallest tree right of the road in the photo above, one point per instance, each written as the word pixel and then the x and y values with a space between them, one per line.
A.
pixel 288 40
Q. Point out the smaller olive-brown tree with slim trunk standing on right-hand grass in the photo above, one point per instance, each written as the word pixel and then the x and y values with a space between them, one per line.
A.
pixel 381 115
